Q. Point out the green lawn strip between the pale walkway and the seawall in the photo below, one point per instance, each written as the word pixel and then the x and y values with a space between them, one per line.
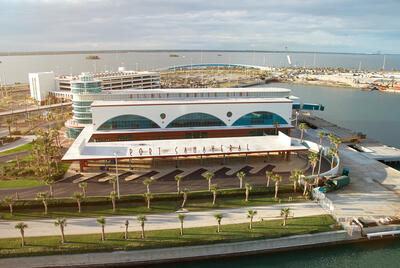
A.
pixel 164 238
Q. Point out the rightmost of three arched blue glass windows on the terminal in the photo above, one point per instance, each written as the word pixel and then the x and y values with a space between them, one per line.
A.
pixel 259 118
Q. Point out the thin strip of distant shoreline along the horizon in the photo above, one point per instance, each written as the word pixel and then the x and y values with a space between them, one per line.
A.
pixel 66 52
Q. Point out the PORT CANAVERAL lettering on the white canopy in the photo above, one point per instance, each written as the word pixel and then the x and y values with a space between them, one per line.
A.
pixel 152 151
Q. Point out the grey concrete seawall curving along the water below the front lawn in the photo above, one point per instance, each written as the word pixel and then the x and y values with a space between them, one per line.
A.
pixel 137 257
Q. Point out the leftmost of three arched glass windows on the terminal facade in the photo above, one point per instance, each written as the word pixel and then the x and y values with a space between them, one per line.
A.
pixel 129 121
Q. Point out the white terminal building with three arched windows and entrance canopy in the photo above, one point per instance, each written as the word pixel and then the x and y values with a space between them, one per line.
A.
pixel 186 123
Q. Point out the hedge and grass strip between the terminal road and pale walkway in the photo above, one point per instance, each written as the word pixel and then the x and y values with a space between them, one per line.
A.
pixel 136 204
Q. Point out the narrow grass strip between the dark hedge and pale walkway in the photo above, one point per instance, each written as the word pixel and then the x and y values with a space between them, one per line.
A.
pixel 134 208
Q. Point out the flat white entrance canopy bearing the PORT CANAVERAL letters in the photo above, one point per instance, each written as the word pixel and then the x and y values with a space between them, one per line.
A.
pixel 83 150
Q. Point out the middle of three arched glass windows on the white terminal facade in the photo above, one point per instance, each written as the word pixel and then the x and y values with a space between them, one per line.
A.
pixel 196 120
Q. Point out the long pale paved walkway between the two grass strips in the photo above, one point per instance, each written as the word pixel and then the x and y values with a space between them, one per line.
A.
pixel 157 221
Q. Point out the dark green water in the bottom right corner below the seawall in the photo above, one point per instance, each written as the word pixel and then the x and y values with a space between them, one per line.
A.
pixel 372 254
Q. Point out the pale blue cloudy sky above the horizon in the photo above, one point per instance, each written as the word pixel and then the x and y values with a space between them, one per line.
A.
pixel 305 25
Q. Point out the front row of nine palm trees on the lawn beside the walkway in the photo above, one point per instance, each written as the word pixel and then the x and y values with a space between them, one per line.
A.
pixel 62 223
